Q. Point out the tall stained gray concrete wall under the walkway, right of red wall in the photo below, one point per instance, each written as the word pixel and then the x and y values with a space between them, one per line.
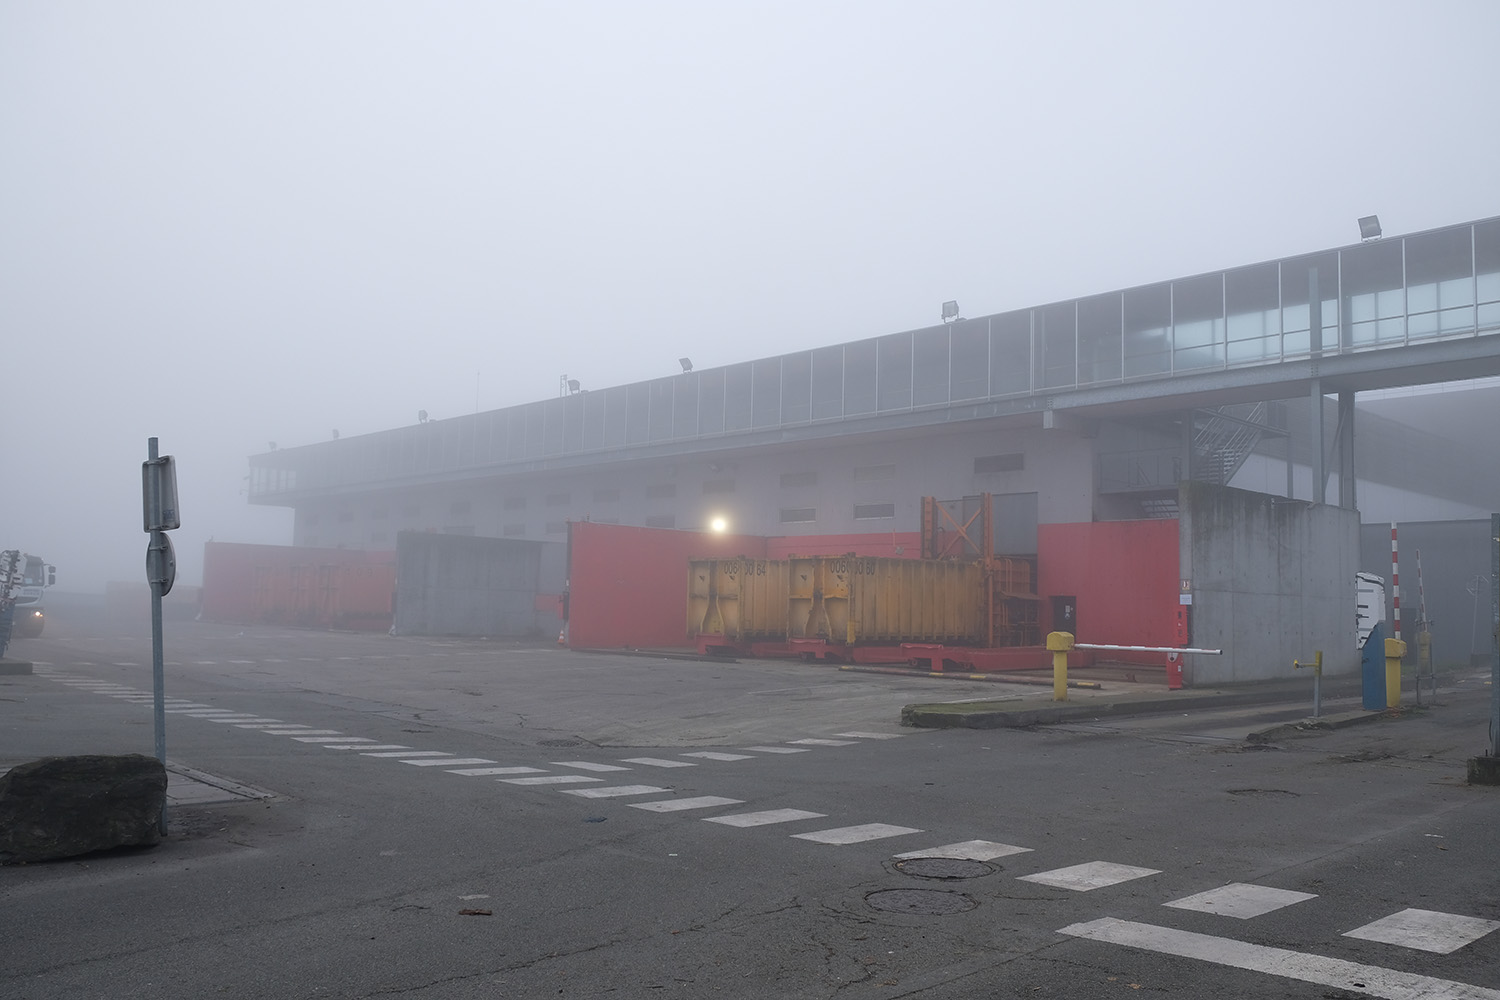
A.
pixel 1271 582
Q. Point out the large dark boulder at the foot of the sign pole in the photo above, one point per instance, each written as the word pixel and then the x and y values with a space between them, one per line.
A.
pixel 61 807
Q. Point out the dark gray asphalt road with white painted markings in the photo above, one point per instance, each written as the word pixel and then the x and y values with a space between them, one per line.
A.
pixel 1358 861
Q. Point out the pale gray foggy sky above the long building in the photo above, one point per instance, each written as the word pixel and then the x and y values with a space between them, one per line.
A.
pixel 229 226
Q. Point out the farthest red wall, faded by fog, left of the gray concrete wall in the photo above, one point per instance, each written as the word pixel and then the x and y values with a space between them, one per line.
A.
pixel 289 585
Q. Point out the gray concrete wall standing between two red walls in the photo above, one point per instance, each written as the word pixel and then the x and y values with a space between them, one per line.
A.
pixel 452 585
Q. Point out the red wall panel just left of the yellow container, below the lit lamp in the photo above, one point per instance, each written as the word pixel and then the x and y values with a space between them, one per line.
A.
pixel 628 587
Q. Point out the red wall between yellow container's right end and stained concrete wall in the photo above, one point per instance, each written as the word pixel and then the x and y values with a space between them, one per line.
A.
pixel 1124 575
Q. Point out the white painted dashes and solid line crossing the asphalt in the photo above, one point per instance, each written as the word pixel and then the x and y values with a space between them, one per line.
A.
pixel 602 780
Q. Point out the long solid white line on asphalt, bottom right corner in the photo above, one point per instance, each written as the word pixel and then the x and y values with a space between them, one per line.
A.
pixel 1279 962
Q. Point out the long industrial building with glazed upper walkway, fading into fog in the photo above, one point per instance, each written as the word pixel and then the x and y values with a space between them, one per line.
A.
pixel 1090 412
